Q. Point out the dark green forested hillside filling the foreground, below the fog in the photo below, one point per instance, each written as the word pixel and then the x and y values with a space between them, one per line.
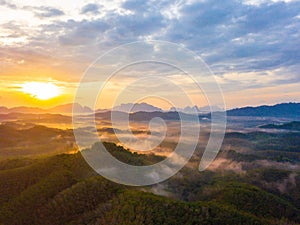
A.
pixel 63 189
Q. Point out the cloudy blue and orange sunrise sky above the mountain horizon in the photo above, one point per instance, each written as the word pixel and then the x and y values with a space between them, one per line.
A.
pixel 251 46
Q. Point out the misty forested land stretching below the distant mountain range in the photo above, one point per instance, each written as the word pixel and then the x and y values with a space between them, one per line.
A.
pixel 255 178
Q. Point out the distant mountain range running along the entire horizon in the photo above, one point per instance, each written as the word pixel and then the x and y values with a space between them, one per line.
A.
pixel 284 110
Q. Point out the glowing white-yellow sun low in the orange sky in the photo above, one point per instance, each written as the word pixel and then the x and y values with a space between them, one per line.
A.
pixel 41 90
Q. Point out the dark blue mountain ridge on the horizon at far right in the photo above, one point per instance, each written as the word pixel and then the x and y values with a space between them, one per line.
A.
pixel 285 110
